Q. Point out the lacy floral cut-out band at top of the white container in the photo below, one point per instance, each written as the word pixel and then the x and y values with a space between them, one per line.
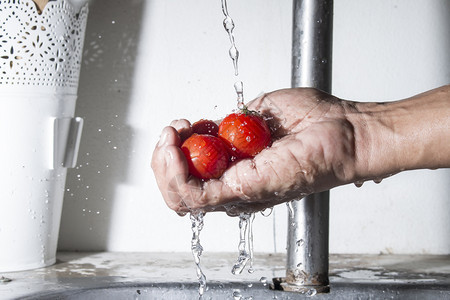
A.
pixel 41 49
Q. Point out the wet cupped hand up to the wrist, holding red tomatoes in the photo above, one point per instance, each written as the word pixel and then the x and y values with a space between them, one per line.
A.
pixel 313 150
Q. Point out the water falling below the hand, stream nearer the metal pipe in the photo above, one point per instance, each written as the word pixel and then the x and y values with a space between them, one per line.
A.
pixel 245 244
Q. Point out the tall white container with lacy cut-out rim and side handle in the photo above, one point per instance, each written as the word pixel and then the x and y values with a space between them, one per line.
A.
pixel 40 57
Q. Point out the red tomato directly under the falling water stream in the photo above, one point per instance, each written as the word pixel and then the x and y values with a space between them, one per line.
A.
pixel 245 134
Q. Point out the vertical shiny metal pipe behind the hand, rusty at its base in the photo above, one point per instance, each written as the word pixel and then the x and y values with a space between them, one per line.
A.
pixel 308 225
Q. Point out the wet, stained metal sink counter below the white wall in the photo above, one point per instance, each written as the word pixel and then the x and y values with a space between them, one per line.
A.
pixel 172 276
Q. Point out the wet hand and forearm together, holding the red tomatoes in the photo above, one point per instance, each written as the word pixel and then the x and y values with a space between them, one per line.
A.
pixel 319 142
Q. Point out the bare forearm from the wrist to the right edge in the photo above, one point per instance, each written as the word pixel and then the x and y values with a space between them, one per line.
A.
pixel 403 135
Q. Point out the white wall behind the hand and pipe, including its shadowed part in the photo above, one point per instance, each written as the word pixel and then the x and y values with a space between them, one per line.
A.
pixel 148 62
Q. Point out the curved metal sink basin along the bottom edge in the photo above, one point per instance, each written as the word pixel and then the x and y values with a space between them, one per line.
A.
pixel 255 290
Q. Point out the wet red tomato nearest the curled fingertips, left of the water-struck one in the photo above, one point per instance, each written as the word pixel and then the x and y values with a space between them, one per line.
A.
pixel 207 156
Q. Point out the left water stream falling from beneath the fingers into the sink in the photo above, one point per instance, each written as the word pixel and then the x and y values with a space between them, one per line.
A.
pixel 197 249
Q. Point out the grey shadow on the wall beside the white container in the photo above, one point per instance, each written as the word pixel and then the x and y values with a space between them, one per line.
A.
pixel 110 49
